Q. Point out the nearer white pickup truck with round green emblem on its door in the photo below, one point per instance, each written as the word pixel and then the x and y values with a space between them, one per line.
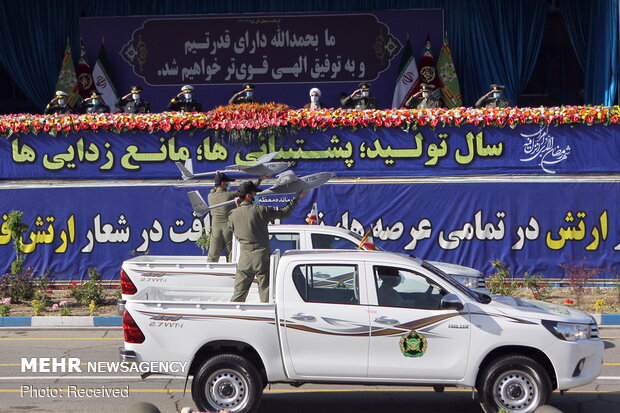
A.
pixel 363 317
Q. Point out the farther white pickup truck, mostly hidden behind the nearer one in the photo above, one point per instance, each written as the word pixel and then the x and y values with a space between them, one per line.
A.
pixel 187 271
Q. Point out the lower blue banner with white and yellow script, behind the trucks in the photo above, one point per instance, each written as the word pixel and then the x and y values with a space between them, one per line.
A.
pixel 534 227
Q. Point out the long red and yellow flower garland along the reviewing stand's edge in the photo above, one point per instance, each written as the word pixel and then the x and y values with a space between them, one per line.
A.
pixel 247 120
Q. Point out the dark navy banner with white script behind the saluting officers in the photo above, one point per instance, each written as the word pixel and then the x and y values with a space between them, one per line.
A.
pixel 283 55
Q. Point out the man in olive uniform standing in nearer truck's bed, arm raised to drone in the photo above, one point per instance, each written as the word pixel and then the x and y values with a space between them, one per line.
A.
pixel 249 224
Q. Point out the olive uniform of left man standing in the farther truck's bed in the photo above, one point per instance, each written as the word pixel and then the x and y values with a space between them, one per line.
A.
pixel 221 234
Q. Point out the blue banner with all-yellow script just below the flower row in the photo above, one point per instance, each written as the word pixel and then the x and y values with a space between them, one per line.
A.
pixel 385 152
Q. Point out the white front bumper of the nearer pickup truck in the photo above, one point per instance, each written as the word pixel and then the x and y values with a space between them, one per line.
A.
pixel 576 363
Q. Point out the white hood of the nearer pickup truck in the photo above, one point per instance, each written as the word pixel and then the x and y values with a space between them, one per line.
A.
pixel 537 310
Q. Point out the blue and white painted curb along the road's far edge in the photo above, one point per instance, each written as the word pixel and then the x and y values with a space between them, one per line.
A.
pixel 116 321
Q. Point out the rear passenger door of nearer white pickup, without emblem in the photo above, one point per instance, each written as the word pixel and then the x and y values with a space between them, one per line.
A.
pixel 324 327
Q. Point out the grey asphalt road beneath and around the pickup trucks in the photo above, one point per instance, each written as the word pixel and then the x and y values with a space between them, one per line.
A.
pixel 105 392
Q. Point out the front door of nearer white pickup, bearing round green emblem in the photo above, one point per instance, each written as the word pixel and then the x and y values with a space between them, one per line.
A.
pixel 411 337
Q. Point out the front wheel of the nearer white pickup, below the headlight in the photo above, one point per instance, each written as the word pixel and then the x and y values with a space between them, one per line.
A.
pixel 514 383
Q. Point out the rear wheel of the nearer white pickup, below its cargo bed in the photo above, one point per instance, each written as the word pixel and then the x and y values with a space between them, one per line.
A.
pixel 227 381
